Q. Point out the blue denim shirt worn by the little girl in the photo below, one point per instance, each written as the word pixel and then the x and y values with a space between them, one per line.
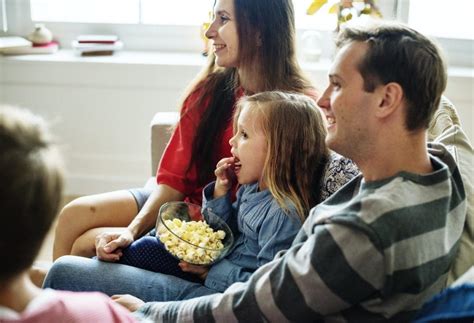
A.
pixel 261 229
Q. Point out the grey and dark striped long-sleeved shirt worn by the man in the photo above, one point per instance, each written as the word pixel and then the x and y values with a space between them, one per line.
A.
pixel 372 251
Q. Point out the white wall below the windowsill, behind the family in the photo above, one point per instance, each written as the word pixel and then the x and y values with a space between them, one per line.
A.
pixel 101 107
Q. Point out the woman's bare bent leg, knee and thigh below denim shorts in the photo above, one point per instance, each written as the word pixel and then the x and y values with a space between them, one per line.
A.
pixel 114 209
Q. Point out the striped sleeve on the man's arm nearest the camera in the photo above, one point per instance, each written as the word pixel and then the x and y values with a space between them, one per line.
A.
pixel 302 284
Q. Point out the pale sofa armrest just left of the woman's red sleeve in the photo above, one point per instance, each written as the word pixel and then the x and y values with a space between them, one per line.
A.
pixel 160 134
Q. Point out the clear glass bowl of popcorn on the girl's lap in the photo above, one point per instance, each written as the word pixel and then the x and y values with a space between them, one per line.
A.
pixel 193 235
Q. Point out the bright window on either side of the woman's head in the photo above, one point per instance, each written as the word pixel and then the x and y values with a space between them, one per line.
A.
pixel 144 24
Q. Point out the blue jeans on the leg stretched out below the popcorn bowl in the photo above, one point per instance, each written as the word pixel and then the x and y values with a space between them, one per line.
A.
pixel 83 274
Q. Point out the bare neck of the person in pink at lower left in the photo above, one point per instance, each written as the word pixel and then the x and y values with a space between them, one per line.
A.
pixel 18 293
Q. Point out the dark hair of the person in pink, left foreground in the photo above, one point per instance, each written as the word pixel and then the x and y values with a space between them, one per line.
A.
pixel 31 178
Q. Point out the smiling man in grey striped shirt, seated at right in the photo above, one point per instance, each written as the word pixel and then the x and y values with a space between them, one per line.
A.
pixel 383 244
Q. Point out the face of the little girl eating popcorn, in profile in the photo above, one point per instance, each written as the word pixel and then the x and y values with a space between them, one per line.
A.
pixel 249 148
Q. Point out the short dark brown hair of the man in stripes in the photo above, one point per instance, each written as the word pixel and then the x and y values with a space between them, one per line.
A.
pixel 397 53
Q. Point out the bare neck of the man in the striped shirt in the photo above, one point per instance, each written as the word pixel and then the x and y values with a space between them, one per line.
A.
pixel 407 154
